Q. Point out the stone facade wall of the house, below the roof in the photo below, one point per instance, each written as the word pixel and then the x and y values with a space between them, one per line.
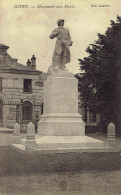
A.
pixel 12 93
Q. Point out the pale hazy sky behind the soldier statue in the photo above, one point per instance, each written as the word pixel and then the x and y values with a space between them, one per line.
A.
pixel 26 30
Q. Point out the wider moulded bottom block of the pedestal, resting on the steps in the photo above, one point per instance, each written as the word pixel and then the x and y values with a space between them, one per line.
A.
pixel 61 125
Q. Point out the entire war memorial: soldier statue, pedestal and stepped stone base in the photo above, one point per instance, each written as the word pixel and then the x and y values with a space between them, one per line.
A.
pixel 61 128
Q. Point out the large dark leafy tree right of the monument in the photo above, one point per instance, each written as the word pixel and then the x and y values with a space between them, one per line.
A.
pixel 100 85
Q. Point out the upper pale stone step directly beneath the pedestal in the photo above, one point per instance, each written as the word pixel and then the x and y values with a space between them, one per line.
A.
pixel 50 142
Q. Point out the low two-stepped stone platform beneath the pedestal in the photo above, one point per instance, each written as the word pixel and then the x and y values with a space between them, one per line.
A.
pixel 65 144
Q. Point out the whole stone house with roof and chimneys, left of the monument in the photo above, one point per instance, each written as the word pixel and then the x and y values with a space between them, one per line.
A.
pixel 21 90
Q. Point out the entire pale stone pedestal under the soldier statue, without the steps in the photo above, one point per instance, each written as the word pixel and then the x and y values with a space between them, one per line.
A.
pixel 60 116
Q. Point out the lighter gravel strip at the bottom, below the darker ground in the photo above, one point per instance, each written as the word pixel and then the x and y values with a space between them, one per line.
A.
pixel 83 183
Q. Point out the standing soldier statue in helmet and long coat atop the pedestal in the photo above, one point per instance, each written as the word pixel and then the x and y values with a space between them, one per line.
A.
pixel 61 55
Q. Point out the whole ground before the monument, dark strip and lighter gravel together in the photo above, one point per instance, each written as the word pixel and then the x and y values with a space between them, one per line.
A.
pixel 98 174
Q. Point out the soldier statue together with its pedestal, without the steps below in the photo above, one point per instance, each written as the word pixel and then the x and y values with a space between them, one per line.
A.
pixel 60 114
